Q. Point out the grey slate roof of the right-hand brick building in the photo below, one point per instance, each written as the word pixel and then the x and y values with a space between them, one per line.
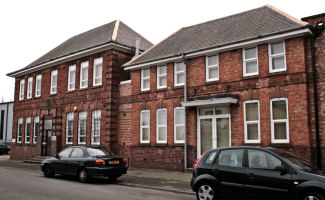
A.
pixel 251 24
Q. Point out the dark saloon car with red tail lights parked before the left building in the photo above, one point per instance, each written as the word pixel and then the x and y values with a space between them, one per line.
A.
pixel 85 162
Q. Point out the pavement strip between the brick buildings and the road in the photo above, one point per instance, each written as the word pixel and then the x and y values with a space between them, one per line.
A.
pixel 166 180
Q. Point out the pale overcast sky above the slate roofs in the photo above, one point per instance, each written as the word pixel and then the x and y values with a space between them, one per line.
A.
pixel 29 29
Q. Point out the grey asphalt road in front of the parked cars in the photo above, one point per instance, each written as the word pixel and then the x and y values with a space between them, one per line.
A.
pixel 17 184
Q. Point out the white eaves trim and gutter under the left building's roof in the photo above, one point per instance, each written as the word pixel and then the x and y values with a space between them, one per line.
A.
pixel 71 57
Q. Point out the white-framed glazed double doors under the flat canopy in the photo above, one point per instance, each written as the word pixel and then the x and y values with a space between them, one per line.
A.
pixel 214 129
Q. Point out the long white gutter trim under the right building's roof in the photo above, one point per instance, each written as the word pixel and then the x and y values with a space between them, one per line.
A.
pixel 244 44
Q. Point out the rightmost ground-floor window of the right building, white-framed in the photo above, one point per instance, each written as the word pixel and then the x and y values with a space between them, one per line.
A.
pixel 279 121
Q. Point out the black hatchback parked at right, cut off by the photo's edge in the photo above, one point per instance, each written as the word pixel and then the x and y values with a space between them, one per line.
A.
pixel 255 173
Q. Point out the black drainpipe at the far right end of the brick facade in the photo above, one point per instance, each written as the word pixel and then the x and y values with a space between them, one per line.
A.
pixel 316 32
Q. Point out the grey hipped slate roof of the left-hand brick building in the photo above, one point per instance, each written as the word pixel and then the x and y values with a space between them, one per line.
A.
pixel 92 38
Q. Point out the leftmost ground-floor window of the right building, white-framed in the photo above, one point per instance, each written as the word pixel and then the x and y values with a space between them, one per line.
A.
pixel 145 126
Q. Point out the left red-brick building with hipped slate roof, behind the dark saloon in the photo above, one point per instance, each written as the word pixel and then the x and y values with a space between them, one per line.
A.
pixel 70 95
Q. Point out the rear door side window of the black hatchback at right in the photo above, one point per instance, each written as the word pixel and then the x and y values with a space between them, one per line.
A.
pixel 231 158
